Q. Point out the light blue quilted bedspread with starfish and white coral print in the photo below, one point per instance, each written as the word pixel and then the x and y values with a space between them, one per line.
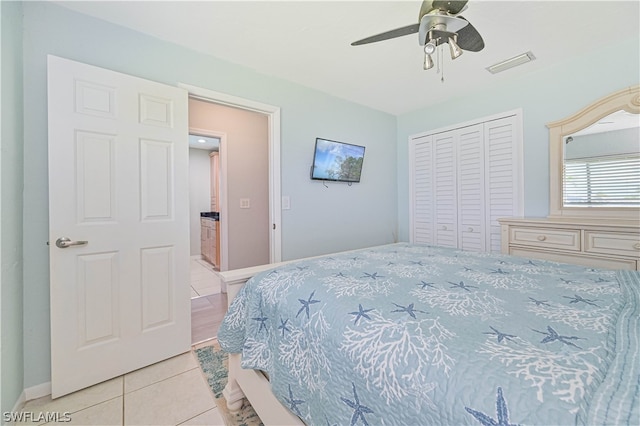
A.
pixel 418 335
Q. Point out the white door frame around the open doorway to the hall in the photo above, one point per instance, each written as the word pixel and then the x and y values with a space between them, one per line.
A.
pixel 273 116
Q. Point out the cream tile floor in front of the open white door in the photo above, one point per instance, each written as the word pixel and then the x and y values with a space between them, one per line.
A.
pixel 171 392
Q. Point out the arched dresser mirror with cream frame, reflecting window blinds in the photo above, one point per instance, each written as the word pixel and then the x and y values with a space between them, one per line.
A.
pixel 595 159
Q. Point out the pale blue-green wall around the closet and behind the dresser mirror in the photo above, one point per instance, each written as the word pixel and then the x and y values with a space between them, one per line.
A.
pixel 547 95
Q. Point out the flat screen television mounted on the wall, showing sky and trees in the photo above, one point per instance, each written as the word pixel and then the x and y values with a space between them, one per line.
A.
pixel 337 161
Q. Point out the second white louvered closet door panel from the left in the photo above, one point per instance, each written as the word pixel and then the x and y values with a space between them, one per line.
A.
pixel 445 191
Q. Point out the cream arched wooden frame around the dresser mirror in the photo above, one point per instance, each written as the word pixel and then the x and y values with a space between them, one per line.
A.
pixel 627 99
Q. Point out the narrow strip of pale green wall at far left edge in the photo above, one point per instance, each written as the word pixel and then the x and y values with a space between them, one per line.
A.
pixel 11 168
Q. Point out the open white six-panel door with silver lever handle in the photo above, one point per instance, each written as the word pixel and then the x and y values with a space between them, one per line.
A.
pixel 118 191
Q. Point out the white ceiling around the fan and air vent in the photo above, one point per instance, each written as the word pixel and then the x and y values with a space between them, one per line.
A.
pixel 308 42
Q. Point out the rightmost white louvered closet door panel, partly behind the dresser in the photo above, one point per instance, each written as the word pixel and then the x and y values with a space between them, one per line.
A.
pixel 503 181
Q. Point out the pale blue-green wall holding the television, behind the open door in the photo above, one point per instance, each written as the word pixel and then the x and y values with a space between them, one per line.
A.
pixel 336 218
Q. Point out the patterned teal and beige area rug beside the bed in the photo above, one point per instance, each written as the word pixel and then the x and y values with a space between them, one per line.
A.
pixel 215 366
